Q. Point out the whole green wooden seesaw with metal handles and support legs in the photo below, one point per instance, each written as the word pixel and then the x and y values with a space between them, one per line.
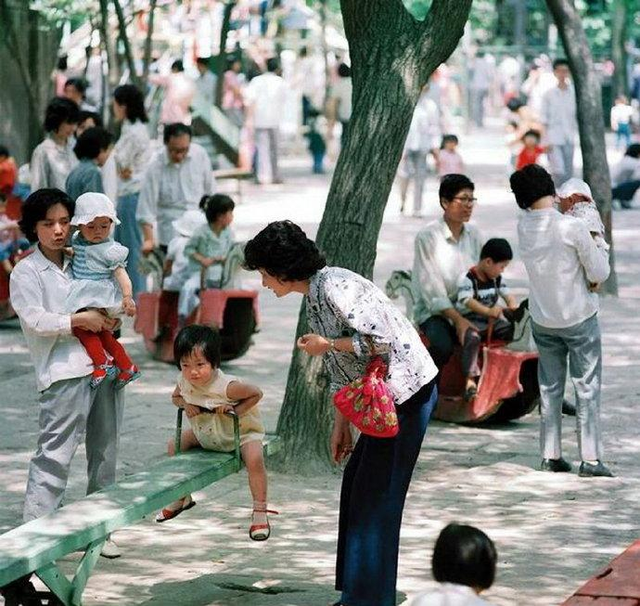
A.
pixel 35 546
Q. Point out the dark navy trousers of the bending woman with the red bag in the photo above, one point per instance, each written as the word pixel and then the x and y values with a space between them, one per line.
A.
pixel 374 487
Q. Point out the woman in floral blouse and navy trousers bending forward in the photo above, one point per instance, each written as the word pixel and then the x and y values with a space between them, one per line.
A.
pixel 353 323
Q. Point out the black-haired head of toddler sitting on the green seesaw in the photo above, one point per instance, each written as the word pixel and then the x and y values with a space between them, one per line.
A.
pixel 196 351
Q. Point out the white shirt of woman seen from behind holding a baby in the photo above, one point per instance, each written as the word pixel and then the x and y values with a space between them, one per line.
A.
pixel 561 259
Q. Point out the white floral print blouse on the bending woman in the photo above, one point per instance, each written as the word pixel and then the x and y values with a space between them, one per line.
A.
pixel 342 303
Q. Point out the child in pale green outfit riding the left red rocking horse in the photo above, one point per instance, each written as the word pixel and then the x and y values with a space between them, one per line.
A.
pixel 207 251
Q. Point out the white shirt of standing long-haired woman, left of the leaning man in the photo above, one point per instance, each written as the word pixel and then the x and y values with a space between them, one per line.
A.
pixel 132 151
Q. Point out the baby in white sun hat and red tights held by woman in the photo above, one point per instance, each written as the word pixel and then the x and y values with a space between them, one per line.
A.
pixel 101 282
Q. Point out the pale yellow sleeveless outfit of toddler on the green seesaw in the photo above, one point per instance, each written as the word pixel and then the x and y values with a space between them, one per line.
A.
pixel 215 431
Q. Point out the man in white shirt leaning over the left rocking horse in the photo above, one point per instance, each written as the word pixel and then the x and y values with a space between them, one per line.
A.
pixel 174 182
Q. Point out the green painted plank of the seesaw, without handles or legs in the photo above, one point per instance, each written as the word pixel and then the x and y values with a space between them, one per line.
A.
pixel 37 543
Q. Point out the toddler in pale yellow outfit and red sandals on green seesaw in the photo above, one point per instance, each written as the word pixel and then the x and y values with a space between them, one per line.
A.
pixel 207 395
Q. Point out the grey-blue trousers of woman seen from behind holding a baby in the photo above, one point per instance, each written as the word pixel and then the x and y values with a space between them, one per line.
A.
pixel 581 345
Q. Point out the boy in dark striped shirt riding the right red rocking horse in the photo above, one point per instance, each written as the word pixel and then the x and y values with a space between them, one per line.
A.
pixel 479 291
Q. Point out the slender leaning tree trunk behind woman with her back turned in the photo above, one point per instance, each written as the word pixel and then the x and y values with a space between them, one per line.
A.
pixel 590 118
